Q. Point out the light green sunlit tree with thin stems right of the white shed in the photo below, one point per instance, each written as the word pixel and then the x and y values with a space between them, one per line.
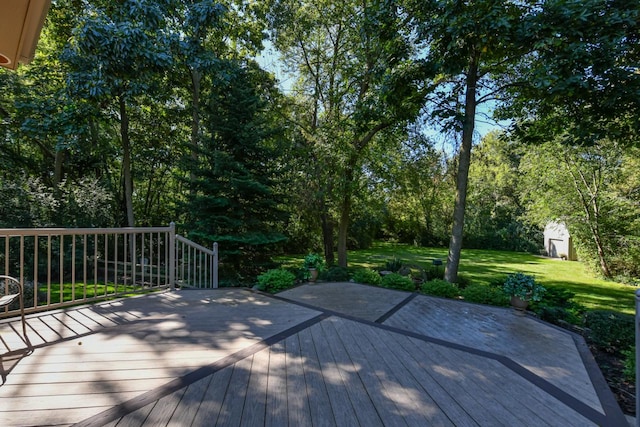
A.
pixel 587 188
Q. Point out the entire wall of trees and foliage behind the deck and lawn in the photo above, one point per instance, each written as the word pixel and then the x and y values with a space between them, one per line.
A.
pixel 145 112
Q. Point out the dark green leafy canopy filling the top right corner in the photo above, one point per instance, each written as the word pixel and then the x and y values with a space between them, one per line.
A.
pixel 582 81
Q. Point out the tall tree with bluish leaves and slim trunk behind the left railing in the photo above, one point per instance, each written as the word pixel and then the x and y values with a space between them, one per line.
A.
pixel 115 56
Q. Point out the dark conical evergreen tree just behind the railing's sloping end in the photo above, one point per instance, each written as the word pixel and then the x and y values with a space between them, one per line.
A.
pixel 233 201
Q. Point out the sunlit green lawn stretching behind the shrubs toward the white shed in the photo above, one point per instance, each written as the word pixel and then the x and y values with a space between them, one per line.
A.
pixel 482 266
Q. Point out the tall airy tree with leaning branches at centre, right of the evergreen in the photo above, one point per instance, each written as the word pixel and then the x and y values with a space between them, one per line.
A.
pixel 354 80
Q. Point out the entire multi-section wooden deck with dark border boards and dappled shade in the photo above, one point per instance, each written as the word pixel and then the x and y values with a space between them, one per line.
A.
pixel 328 354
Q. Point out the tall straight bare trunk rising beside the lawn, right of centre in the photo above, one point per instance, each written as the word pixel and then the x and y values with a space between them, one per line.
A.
pixel 464 161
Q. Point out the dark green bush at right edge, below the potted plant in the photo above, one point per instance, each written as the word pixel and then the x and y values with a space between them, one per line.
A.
pixel 612 332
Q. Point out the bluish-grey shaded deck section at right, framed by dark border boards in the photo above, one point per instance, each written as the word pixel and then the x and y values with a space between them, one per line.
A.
pixel 546 351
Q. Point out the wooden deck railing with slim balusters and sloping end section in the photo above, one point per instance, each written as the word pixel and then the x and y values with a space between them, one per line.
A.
pixel 60 267
